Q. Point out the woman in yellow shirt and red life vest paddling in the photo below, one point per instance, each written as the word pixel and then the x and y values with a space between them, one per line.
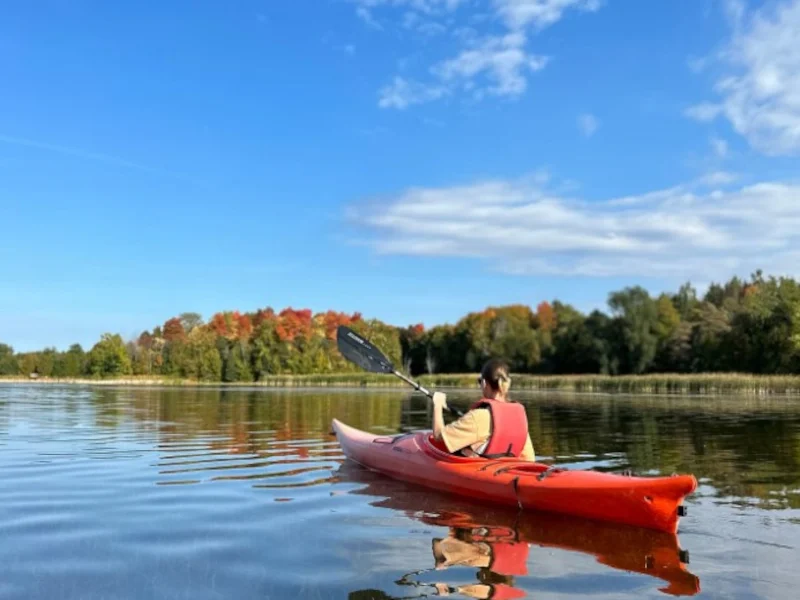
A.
pixel 494 426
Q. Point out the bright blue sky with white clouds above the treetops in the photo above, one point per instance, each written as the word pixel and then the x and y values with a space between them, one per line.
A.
pixel 413 160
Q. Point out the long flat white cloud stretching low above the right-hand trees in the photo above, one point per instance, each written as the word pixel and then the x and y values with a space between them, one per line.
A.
pixel 520 227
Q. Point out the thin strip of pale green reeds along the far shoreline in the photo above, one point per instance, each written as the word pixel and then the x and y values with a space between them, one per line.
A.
pixel 712 383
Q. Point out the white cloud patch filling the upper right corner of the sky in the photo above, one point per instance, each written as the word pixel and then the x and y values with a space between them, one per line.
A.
pixel 760 87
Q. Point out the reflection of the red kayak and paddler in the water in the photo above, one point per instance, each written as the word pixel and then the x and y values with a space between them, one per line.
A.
pixel 496 542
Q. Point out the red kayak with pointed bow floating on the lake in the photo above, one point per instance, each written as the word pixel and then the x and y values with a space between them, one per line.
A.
pixel 651 502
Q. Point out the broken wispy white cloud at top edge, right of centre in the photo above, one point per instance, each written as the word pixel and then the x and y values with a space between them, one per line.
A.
pixel 484 64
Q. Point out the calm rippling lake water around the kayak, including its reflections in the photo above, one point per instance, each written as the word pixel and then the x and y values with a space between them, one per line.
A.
pixel 175 493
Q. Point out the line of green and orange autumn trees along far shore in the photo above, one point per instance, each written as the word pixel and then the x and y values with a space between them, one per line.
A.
pixel 748 326
